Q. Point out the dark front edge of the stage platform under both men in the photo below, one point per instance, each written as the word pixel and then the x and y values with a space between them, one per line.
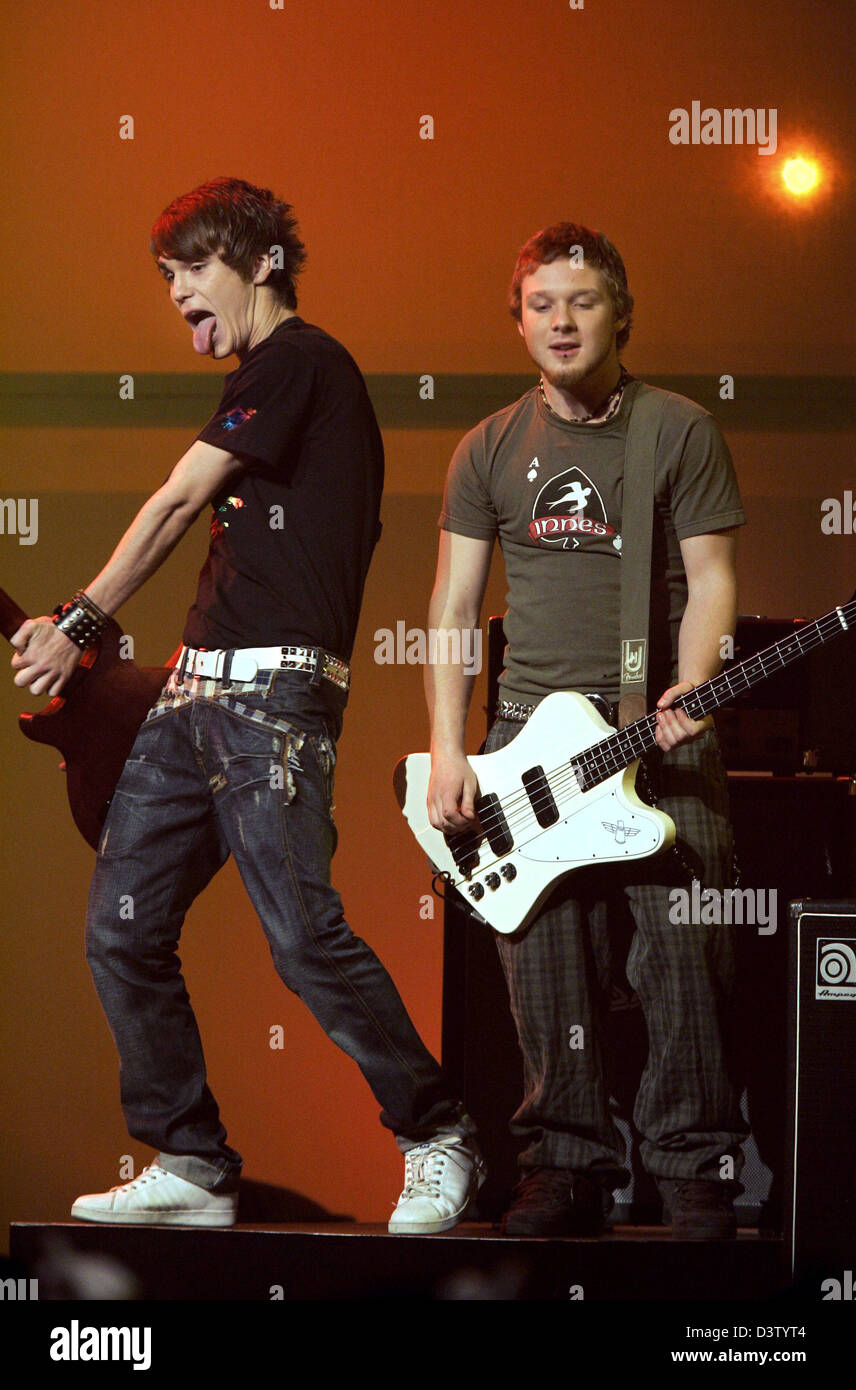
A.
pixel 347 1261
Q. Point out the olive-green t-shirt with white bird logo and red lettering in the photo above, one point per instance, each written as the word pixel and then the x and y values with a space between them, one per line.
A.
pixel 552 493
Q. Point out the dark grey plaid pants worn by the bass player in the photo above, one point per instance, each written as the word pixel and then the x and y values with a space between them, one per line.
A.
pixel 559 975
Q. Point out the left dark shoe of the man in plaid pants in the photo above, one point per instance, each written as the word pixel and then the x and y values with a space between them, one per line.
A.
pixel 555 1202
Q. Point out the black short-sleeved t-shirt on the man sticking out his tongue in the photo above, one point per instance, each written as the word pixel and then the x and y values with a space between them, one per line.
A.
pixel 294 534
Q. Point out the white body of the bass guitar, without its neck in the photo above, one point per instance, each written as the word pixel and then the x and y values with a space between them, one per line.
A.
pixel 607 824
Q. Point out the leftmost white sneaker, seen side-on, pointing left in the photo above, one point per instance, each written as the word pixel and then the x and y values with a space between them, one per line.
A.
pixel 159 1199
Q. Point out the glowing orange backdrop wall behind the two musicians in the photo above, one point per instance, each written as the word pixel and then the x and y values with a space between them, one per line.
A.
pixel 541 112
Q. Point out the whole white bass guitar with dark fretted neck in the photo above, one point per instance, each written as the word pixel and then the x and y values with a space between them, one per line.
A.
pixel 563 793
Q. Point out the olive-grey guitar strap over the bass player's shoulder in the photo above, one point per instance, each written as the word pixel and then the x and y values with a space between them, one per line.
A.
pixel 637 532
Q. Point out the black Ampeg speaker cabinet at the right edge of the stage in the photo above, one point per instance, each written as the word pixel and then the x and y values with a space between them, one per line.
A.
pixel 822 1102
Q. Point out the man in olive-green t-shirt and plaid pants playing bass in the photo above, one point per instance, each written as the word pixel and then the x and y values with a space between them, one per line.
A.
pixel 547 479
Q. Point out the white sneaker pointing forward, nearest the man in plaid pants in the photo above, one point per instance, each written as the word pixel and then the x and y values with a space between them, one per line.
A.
pixel 440 1181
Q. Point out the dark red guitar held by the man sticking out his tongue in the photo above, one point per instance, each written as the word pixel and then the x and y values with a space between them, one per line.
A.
pixel 94 722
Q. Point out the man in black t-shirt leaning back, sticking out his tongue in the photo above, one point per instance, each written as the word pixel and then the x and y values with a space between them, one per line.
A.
pixel 238 754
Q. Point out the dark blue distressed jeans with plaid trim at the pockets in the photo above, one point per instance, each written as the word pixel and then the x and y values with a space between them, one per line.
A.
pixel 242 769
